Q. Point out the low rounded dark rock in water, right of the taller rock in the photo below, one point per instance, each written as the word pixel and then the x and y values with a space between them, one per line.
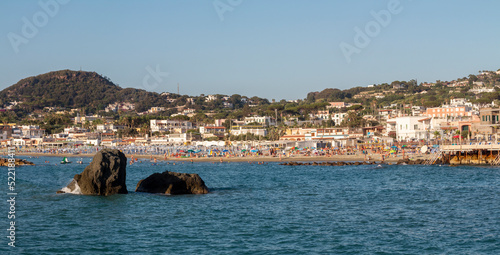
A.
pixel 172 183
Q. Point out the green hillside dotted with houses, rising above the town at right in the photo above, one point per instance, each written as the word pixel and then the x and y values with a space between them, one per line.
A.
pixel 423 94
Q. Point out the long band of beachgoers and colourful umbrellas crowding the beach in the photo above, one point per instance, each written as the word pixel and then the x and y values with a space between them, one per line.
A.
pixel 380 152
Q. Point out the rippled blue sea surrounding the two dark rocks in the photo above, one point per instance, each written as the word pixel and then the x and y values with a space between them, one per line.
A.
pixel 260 209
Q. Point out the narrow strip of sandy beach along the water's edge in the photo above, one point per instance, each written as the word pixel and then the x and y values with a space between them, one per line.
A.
pixel 334 158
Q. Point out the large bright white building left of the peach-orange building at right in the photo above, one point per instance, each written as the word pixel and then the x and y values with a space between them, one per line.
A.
pixel 410 128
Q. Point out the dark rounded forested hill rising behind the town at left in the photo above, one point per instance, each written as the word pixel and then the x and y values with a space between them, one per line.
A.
pixel 74 89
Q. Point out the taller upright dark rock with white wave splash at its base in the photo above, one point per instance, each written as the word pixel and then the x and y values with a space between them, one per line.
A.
pixel 106 175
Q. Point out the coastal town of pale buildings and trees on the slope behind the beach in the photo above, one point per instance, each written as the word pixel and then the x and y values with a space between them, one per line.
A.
pixel 468 114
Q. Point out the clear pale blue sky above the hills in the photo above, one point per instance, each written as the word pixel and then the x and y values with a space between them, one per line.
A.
pixel 276 49
